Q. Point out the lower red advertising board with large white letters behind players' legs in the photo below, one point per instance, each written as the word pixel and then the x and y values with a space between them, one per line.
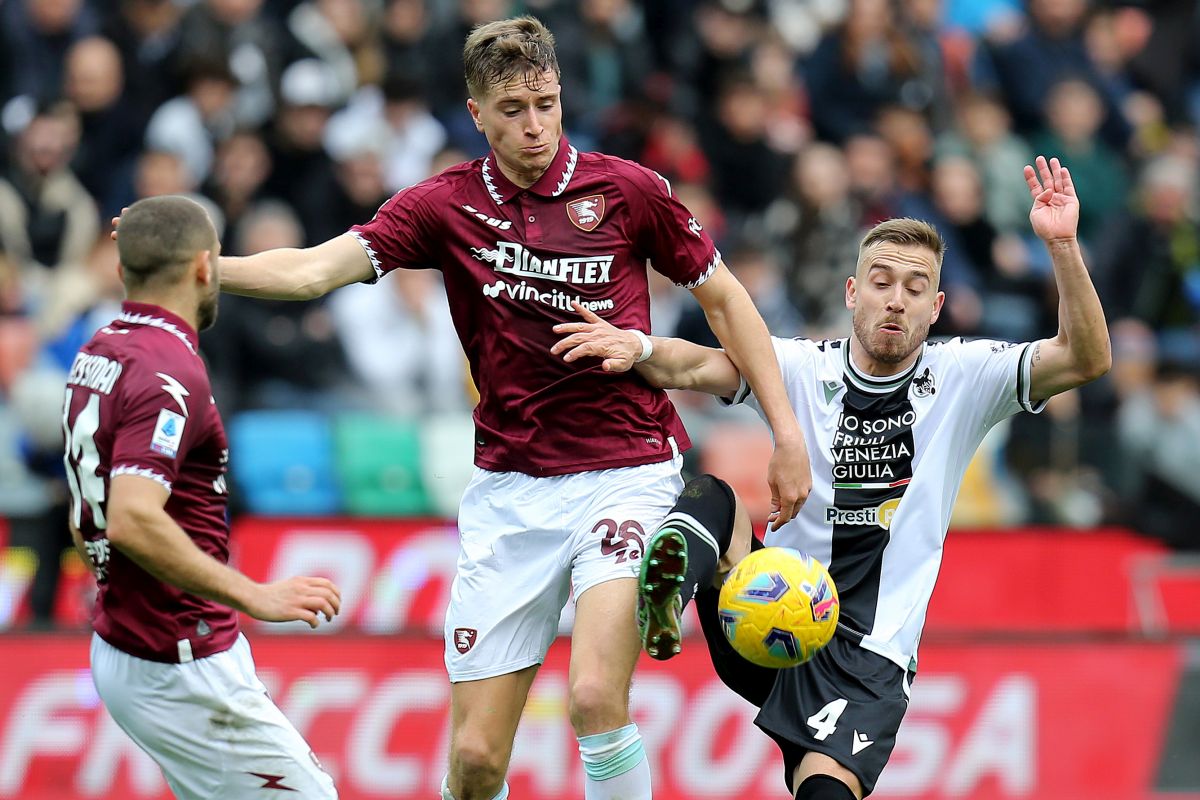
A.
pixel 1070 723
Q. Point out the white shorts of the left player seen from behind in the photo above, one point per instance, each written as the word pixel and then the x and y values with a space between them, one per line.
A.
pixel 209 725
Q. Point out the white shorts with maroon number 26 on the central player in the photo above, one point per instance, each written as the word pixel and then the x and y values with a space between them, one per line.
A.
pixel 531 543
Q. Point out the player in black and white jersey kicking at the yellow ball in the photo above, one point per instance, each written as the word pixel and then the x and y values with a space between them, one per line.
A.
pixel 893 423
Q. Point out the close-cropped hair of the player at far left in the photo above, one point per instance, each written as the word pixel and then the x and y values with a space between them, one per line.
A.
pixel 159 237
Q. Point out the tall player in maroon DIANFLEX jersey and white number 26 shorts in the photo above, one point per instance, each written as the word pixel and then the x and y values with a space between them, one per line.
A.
pixel 575 465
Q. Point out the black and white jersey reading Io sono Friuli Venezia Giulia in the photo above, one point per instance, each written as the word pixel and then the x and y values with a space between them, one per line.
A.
pixel 889 456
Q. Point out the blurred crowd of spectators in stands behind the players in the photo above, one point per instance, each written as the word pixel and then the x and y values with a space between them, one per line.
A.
pixel 789 127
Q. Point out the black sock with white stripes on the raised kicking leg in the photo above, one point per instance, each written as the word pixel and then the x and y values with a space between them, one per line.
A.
pixel 704 514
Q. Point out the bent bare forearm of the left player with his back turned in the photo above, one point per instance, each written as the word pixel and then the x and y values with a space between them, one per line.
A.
pixel 140 527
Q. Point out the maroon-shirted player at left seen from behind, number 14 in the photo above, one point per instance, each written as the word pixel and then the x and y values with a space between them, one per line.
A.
pixel 146 460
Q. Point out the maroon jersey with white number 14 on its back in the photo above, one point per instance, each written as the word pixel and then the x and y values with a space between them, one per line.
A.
pixel 139 404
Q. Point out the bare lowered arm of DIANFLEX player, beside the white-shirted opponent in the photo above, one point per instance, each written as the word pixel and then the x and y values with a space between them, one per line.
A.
pixel 740 328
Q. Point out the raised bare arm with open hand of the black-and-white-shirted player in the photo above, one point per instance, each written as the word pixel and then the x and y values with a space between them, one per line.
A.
pixel 1081 352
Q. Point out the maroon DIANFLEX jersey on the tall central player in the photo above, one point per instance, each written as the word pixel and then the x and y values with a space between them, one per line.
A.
pixel 514 261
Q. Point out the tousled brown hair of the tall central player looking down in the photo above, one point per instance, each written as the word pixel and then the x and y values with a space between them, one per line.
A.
pixel 499 52
